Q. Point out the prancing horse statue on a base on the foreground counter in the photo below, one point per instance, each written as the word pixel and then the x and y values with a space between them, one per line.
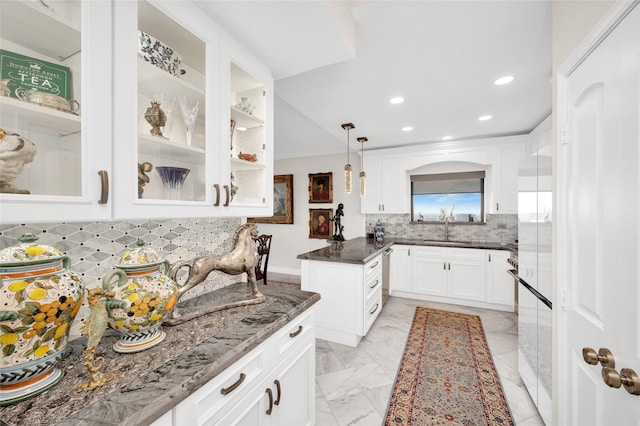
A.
pixel 242 258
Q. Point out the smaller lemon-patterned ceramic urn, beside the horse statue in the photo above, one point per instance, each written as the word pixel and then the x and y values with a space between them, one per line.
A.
pixel 144 297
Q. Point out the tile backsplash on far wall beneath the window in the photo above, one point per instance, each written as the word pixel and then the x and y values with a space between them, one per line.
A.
pixel 499 228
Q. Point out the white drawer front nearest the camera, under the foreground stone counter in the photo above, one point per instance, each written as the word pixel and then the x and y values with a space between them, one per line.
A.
pixel 224 391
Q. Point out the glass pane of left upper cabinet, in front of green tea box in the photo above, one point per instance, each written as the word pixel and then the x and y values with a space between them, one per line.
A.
pixel 40 70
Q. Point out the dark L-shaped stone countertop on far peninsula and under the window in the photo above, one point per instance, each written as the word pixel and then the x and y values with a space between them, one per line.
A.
pixel 360 251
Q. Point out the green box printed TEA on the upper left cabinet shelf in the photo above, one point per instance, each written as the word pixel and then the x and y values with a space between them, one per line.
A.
pixel 30 73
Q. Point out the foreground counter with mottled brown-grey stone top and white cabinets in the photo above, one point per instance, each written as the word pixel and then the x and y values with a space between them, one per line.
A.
pixel 158 382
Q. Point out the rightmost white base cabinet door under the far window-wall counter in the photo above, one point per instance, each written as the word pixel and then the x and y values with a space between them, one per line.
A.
pixel 500 288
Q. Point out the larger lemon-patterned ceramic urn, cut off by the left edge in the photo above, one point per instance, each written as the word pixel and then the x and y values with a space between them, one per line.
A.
pixel 40 299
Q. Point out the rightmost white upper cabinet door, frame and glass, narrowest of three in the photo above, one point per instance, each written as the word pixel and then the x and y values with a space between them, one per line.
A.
pixel 246 132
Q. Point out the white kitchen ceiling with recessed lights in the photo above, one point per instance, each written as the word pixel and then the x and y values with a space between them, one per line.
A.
pixel 341 61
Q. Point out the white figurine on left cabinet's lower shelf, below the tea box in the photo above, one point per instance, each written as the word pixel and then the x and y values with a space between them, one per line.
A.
pixel 15 152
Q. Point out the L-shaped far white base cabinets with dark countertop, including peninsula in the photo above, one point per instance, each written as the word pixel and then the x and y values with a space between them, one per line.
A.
pixel 351 276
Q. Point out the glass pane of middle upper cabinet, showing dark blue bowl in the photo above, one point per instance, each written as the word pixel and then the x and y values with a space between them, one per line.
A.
pixel 171 106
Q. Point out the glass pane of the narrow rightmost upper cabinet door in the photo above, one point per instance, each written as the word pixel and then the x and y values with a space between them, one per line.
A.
pixel 247 138
